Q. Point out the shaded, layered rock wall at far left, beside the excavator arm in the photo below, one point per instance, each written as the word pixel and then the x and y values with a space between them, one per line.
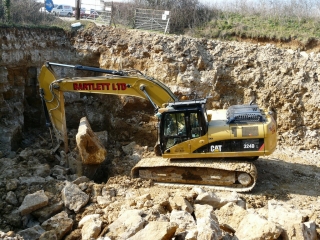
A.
pixel 22 54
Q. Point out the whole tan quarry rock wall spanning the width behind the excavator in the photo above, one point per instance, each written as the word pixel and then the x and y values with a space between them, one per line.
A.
pixel 285 81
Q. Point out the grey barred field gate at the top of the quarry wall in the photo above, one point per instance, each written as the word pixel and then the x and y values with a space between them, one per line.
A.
pixel 150 19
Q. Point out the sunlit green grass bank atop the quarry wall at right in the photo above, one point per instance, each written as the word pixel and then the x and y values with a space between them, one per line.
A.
pixel 230 26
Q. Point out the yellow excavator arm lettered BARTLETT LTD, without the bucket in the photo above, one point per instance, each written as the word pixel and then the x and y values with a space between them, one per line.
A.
pixel 114 82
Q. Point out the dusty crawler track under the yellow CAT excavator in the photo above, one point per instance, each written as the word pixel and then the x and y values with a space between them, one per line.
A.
pixel 229 175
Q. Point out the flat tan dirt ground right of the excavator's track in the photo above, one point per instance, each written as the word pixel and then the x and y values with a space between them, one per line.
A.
pixel 289 176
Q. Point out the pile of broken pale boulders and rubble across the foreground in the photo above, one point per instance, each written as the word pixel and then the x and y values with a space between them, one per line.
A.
pixel 45 200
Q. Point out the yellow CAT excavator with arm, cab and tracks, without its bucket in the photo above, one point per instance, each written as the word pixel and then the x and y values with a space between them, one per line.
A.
pixel 196 146
